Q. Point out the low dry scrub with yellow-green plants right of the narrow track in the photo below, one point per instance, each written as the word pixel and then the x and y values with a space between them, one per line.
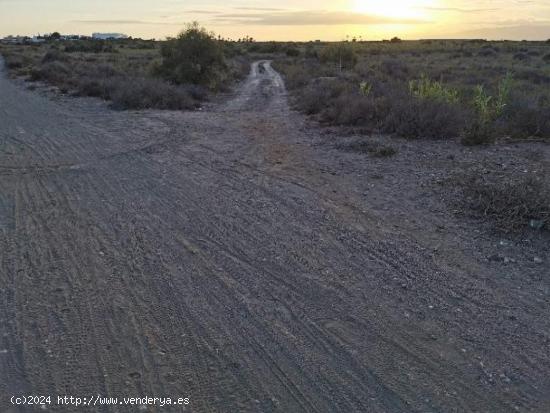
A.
pixel 475 90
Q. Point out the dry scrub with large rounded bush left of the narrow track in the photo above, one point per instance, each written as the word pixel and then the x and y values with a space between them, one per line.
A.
pixel 178 73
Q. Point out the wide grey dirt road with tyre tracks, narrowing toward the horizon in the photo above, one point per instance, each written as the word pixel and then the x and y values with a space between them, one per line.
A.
pixel 213 255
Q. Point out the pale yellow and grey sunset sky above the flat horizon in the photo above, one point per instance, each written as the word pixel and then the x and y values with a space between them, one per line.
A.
pixel 297 20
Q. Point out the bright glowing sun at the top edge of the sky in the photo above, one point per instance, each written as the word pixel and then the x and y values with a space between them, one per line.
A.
pixel 392 8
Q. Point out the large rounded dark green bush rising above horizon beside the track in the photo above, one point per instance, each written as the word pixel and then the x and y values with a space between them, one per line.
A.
pixel 195 57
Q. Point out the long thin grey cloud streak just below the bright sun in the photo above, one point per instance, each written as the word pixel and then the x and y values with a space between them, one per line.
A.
pixel 310 18
